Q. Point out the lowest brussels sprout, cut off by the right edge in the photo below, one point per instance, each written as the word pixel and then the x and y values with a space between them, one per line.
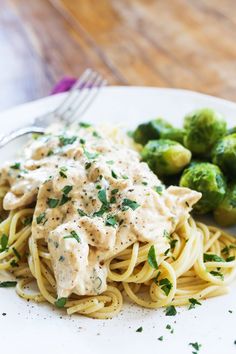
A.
pixel 225 214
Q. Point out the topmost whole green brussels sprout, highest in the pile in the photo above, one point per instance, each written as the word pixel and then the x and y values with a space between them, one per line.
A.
pixel 203 128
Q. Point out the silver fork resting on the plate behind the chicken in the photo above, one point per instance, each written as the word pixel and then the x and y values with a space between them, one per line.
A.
pixel 78 100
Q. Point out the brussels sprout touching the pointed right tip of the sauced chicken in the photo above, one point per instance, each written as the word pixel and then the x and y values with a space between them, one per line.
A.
pixel 208 179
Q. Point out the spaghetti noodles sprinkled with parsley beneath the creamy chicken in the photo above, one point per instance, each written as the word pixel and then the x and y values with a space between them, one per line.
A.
pixel 183 269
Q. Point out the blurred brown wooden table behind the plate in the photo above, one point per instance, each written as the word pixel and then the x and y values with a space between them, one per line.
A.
pixel 169 43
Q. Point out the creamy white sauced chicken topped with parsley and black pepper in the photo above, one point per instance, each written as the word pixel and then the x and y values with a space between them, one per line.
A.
pixel 94 198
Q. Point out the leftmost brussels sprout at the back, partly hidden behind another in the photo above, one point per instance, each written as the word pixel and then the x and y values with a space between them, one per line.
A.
pixel 150 130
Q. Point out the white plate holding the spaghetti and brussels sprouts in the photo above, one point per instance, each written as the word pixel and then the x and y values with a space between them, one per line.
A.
pixel 32 328
